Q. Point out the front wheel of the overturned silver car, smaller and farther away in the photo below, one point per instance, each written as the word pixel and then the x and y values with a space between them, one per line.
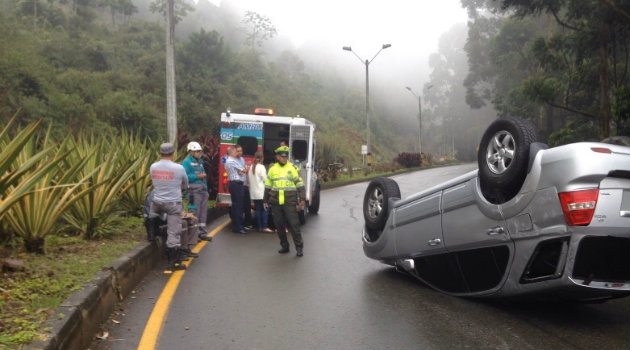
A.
pixel 376 204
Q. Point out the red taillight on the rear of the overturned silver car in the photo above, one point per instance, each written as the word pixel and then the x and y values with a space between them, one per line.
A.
pixel 579 206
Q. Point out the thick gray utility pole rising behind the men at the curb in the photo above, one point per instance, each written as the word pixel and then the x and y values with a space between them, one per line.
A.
pixel 171 101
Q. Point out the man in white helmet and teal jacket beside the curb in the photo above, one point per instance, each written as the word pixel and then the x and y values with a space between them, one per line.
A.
pixel 197 187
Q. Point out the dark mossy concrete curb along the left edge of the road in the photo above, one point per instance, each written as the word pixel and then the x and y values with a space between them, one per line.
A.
pixel 74 324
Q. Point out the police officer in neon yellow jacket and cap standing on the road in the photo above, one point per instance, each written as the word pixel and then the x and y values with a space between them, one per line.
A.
pixel 284 190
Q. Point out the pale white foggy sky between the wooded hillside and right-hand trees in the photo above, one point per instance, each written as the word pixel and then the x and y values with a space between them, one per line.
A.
pixel 317 31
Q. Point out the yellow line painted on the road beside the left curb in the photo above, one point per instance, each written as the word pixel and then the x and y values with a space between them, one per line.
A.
pixel 156 320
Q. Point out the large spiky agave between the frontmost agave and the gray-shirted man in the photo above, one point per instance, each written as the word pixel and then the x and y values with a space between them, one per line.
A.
pixel 110 174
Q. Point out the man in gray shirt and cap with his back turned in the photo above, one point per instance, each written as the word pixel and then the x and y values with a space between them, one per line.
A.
pixel 169 178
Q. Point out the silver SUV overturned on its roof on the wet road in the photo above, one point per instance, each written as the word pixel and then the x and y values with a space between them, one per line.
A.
pixel 531 221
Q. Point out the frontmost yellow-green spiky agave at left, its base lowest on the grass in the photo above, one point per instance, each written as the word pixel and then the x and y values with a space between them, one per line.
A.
pixel 36 213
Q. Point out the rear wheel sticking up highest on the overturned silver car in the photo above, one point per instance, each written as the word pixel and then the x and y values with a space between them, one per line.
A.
pixel 503 157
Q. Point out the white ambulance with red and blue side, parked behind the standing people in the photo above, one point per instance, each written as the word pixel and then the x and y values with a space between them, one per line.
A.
pixel 264 131
